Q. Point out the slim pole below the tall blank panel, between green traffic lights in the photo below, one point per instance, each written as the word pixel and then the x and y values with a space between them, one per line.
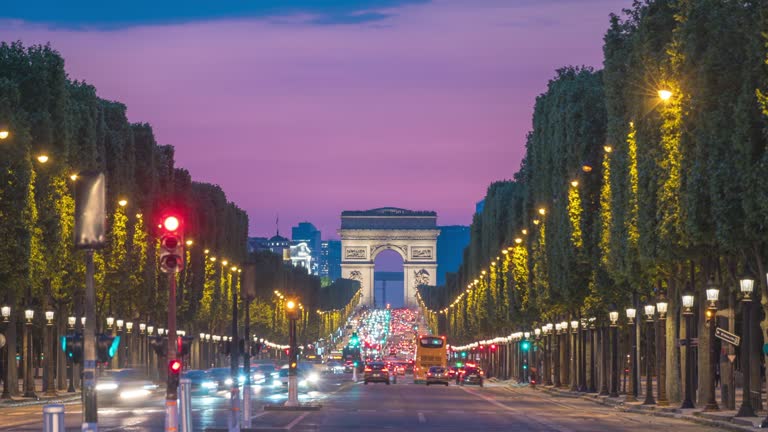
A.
pixel 90 416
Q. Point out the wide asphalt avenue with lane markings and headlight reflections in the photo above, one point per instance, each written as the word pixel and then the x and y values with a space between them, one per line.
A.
pixel 400 407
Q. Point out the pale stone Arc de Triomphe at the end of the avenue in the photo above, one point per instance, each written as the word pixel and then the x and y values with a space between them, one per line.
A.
pixel 412 234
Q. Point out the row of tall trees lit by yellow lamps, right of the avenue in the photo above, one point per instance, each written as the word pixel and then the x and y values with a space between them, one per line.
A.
pixel 643 178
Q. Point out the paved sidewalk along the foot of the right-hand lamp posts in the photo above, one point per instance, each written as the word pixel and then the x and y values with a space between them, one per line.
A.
pixel 724 419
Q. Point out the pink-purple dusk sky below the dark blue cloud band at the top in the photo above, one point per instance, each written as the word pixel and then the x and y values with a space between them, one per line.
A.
pixel 422 109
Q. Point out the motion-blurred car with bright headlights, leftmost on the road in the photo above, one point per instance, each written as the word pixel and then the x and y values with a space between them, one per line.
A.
pixel 124 386
